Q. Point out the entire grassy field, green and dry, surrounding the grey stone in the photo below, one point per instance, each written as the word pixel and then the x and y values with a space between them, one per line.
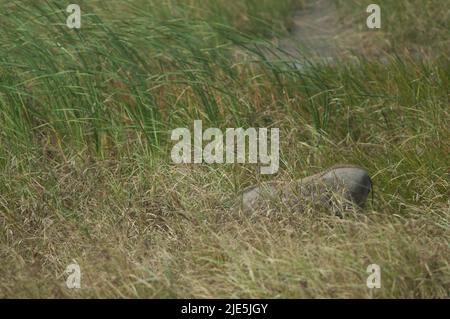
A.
pixel 86 174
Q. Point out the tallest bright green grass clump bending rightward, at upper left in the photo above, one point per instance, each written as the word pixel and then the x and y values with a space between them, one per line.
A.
pixel 115 77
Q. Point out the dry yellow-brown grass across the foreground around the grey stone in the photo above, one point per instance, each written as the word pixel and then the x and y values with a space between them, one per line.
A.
pixel 159 230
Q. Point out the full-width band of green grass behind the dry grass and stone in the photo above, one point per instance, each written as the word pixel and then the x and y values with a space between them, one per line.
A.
pixel 119 84
